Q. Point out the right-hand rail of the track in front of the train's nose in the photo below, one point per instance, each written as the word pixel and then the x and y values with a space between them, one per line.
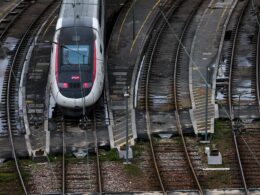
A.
pixel 99 177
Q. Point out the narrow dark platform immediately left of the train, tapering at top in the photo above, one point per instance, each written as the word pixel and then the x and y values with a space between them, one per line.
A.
pixel 36 90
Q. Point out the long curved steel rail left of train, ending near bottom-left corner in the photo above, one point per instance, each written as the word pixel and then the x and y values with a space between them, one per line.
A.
pixel 11 76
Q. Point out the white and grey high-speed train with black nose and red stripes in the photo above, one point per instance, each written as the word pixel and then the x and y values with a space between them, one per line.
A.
pixel 77 58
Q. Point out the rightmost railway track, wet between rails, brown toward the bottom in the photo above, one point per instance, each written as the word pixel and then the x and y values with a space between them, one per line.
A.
pixel 240 71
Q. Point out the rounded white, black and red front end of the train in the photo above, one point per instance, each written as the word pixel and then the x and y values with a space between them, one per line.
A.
pixel 77 67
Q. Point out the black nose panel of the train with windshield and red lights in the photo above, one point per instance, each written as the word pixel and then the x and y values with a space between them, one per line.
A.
pixel 76 67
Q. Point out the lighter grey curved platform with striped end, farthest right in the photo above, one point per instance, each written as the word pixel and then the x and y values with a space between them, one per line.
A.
pixel 203 63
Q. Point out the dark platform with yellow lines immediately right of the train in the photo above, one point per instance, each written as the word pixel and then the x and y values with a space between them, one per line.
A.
pixel 126 42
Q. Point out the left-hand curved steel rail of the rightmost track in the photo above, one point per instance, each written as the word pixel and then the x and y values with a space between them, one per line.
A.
pixel 230 95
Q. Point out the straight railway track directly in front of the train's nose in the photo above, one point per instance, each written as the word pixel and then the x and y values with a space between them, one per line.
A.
pixel 82 174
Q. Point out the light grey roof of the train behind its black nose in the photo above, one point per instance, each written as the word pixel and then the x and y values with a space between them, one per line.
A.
pixel 78 13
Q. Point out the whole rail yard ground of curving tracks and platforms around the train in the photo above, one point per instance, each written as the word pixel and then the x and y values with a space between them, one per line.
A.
pixel 191 69
